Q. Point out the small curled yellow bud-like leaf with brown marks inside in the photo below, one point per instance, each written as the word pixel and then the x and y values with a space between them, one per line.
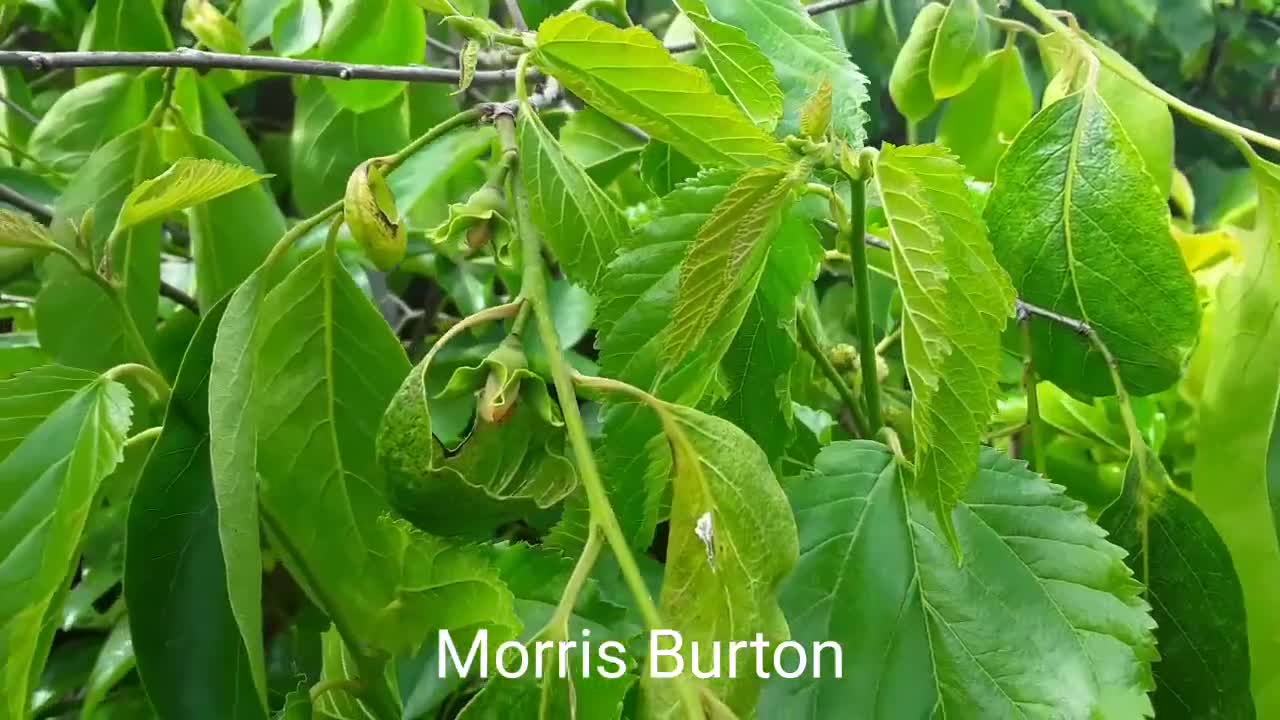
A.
pixel 371 212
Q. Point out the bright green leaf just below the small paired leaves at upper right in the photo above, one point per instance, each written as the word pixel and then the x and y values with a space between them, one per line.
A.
pixel 980 124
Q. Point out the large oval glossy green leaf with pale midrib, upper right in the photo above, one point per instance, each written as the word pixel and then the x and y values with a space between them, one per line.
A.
pixel 1081 227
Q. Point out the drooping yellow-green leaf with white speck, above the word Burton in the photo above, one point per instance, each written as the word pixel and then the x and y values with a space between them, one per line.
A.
pixel 733 540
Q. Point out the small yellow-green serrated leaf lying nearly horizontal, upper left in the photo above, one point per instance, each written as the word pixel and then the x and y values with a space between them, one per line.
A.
pixel 188 184
